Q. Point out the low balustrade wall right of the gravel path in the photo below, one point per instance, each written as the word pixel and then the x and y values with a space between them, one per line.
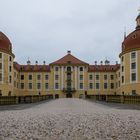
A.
pixel 128 99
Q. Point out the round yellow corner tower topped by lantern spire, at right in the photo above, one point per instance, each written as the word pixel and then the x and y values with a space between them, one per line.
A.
pixel 130 62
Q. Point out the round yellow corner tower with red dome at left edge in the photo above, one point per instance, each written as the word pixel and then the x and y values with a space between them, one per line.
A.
pixel 6 66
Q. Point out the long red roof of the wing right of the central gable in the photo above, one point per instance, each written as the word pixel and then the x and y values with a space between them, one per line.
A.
pixel 104 68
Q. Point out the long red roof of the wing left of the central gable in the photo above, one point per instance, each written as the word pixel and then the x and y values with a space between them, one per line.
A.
pixel 31 68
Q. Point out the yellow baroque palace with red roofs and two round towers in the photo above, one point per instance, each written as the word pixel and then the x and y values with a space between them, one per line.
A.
pixel 71 77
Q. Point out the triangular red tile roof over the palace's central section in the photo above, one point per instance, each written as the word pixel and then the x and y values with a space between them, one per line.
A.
pixel 69 59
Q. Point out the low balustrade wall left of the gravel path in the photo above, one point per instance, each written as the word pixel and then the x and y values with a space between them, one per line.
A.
pixel 9 100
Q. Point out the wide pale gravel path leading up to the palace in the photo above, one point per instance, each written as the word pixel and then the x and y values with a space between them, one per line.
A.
pixel 70 119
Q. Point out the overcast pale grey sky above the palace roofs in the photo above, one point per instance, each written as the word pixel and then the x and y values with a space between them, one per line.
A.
pixel 46 29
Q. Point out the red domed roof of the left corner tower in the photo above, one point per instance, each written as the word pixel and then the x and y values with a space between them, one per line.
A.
pixel 5 44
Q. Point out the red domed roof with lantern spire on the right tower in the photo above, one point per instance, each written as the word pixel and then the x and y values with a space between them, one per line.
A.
pixel 132 41
